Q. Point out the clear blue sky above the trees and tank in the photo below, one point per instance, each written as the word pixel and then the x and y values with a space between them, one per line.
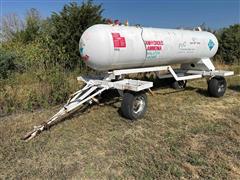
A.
pixel 150 13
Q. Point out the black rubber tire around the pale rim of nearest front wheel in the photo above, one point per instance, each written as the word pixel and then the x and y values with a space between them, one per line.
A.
pixel 127 105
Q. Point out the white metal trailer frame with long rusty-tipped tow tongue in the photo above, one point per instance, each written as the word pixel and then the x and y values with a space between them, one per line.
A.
pixel 115 80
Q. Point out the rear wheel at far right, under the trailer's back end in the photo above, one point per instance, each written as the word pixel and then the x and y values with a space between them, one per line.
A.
pixel 217 86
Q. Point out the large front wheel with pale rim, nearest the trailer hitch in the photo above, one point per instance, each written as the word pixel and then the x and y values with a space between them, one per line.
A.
pixel 134 105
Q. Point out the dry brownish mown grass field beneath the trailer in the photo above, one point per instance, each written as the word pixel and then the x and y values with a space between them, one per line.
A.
pixel 185 134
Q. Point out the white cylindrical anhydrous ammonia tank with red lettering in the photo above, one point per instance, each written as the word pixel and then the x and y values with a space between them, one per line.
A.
pixel 107 47
